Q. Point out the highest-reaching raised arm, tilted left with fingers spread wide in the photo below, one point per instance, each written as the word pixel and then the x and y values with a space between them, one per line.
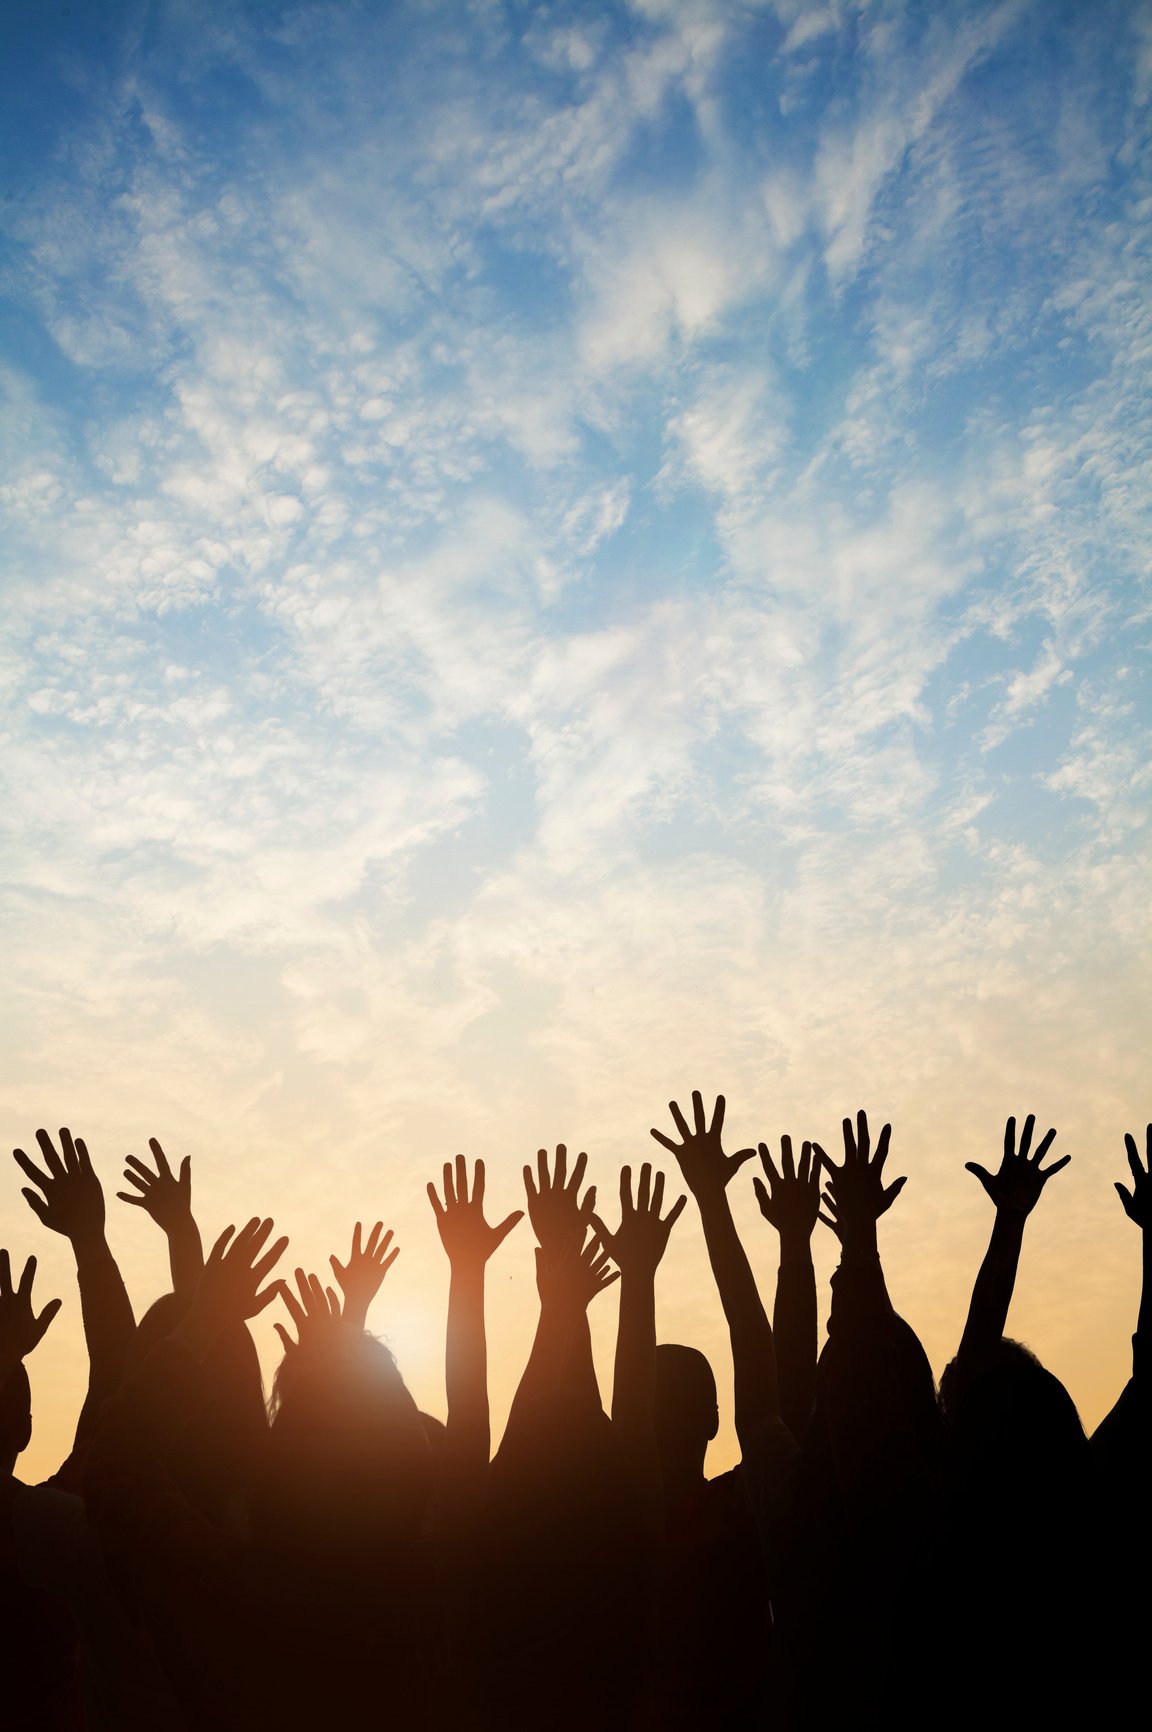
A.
pixel 708 1172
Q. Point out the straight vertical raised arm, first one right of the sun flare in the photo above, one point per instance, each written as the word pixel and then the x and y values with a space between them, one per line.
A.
pixel 469 1243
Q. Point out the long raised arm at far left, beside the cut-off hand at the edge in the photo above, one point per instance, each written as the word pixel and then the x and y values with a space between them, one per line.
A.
pixel 70 1201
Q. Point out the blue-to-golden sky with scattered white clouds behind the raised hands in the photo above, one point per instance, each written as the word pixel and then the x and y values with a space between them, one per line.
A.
pixel 553 557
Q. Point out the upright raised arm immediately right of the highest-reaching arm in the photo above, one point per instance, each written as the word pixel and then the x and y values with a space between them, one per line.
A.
pixel 793 1203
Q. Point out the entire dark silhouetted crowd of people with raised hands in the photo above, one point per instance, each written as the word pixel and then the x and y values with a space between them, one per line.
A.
pixel 886 1553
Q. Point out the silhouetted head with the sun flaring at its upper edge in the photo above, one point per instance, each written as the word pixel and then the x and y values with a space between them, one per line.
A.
pixel 349 1463
